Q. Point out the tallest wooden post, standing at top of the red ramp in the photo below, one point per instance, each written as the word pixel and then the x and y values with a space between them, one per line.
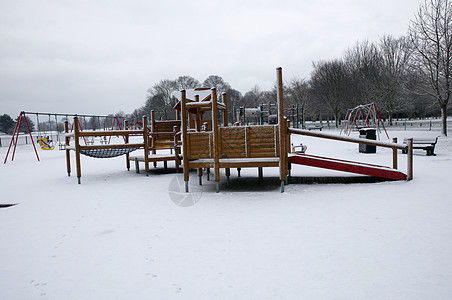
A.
pixel 282 144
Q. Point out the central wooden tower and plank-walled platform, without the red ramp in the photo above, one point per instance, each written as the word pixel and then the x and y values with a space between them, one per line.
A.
pixel 225 147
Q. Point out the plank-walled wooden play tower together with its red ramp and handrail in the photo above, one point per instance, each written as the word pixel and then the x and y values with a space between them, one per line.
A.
pixel 259 146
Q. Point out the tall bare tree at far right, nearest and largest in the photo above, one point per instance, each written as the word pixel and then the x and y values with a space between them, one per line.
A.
pixel 431 37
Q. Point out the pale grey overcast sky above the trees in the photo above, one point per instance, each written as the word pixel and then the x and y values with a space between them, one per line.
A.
pixel 100 56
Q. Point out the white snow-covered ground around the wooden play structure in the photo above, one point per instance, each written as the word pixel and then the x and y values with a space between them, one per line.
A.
pixel 122 235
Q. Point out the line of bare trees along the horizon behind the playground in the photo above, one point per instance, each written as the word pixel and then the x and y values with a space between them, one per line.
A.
pixel 407 76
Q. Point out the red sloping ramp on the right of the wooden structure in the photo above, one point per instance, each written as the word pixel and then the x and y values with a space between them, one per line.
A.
pixel 346 166
